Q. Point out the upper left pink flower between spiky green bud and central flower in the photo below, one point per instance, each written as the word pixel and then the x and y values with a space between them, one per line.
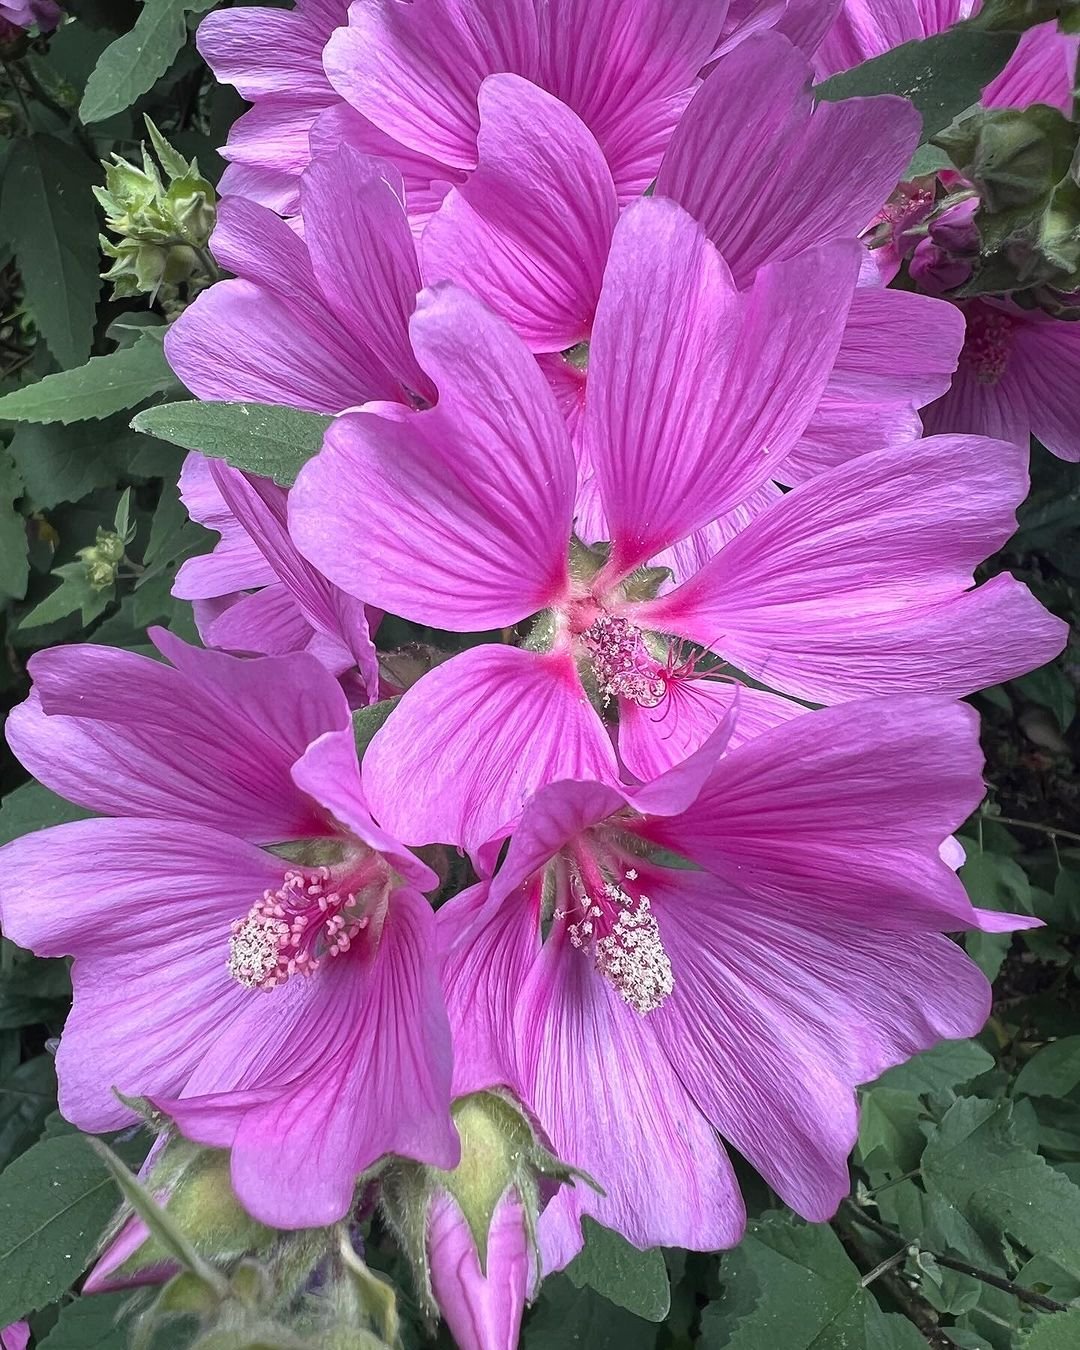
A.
pixel 318 322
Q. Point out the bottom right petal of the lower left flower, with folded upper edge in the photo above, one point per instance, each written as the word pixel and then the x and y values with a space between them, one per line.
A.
pixel 364 1074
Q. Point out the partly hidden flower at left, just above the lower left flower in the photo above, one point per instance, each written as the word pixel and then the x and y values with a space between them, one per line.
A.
pixel 256 595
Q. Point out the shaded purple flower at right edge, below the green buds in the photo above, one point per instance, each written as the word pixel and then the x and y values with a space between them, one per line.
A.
pixel 1017 379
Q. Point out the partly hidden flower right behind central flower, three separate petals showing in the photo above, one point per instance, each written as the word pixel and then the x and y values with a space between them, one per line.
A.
pixel 765 171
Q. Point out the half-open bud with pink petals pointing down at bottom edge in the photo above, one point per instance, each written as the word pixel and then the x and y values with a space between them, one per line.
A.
pixel 472 1233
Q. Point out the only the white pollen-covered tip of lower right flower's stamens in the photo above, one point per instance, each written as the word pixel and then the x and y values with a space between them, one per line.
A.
pixel 631 955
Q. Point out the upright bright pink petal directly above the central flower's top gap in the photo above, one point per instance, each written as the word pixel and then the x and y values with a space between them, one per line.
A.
pixel 497 234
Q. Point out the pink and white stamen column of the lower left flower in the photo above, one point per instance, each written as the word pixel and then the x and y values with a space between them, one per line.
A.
pixel 310 919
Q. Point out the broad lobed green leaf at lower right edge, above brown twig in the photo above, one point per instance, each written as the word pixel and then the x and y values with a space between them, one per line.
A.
pixel 998 1190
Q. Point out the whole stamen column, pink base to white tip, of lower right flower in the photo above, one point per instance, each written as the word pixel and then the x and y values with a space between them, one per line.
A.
pixel 614 923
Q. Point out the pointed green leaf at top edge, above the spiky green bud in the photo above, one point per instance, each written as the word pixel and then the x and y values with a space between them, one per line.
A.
pixel 133 65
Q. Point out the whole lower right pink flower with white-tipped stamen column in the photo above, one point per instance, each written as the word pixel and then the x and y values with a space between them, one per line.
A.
pixel 641 1009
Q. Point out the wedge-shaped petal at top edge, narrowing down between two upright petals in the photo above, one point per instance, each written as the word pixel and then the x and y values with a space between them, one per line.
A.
pixel 628 70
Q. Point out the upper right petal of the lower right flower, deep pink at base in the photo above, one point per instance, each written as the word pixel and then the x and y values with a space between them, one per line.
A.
pixel 840 809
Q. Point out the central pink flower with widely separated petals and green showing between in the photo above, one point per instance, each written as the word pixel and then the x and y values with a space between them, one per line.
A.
pixel 461 518
